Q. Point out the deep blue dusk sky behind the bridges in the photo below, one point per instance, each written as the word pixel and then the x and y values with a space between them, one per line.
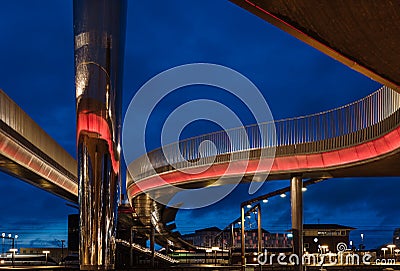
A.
pixel 36 70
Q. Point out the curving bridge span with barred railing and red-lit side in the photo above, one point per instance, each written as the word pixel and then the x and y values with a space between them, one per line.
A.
pixel 359 139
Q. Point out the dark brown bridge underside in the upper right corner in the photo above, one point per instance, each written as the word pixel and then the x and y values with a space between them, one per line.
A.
pixel 363 35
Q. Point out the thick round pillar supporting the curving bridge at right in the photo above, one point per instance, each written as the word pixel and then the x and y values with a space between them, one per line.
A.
pixel 296 193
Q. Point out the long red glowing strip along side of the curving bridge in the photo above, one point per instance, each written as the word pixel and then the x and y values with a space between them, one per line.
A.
pixel 358 153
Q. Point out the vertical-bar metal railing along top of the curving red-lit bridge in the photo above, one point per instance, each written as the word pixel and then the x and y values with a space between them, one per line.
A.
pixel 349 125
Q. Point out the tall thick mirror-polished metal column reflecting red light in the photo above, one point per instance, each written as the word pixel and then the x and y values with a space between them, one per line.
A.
pixel 99 30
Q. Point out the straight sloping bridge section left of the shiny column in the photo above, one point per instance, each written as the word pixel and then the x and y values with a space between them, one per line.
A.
pixel 30 154
